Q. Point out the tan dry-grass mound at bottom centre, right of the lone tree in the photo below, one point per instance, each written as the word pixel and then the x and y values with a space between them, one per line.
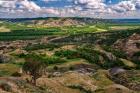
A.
pixel 67 81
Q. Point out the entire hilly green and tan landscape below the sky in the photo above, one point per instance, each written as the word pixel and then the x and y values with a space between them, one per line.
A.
pixel 69 55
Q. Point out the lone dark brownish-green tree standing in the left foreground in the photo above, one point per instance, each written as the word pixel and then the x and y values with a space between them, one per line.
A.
pixel 34 68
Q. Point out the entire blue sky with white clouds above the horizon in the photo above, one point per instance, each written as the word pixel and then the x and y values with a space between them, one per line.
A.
pixel 107 9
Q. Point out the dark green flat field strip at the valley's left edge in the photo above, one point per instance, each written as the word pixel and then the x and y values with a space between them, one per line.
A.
pixel 27 34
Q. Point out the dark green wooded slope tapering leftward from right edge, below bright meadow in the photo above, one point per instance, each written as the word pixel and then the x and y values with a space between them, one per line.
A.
pixel 104 38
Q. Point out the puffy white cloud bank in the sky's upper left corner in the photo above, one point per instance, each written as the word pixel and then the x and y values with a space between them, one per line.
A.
pixel 24 6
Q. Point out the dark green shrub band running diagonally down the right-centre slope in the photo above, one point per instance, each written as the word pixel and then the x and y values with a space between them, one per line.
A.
pixel 93 57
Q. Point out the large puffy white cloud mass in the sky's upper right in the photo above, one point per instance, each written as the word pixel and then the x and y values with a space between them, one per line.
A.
pixel 99 7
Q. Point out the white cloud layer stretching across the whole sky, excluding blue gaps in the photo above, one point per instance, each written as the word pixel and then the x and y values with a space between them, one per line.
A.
pixel 77 8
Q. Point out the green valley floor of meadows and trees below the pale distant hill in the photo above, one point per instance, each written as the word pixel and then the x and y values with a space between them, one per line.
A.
pixel 21 31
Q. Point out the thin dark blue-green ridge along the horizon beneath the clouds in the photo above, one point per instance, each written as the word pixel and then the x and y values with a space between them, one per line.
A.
pixel 82 19
